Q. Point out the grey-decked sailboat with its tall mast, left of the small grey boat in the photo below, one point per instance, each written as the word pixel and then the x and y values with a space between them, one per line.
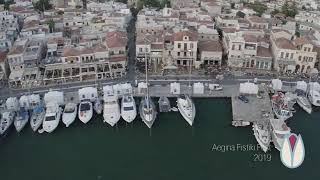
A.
pixel 147 108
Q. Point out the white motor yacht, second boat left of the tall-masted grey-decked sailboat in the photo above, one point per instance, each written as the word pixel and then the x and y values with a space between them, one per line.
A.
pixel 111 110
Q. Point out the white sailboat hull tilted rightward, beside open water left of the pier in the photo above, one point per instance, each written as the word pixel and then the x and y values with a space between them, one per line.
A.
pixel 186 108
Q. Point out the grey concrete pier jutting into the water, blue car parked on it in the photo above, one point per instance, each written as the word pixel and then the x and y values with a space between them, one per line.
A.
pixel 254 111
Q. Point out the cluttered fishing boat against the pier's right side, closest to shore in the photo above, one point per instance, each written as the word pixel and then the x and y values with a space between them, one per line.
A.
pixel 280 108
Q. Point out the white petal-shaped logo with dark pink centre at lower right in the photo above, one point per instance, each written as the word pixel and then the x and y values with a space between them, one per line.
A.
pixel 292 152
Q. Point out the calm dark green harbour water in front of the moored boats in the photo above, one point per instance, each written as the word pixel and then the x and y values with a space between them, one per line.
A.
pixel 172 150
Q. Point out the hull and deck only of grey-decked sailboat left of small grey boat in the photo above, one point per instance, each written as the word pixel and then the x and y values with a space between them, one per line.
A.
pixel 147 111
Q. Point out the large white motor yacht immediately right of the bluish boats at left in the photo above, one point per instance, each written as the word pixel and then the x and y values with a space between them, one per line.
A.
pixel 52 118
